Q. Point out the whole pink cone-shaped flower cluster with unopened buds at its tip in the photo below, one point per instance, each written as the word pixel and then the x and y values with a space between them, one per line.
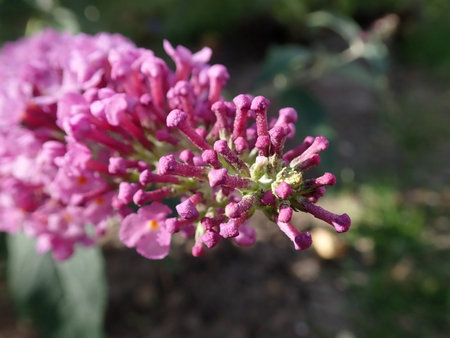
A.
pixel 94 130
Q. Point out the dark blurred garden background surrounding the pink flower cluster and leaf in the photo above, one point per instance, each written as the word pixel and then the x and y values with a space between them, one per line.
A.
pixel 373 77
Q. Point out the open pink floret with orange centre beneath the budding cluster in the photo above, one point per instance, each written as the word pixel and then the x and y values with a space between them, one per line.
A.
pixel 147 232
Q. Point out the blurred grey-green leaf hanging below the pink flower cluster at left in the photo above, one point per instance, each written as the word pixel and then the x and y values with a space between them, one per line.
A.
pixel 63 299
